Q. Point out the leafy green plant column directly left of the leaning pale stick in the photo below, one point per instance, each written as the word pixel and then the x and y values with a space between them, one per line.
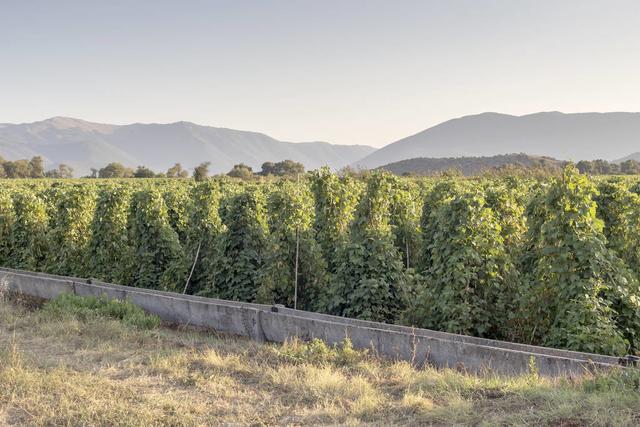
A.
pixel 157 259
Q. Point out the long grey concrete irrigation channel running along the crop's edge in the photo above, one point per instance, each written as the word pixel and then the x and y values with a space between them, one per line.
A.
pixel 277 324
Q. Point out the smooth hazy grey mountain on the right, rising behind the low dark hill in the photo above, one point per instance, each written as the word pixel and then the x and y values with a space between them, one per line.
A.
pixel 574 136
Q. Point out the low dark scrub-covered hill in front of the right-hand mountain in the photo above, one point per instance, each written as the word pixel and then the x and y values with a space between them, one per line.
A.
pixel 470 166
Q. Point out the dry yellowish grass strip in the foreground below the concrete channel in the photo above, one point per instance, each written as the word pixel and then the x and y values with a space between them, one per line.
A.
pixel 58 370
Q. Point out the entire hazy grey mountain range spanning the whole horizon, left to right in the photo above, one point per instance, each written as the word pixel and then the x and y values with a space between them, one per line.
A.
pixel 85 145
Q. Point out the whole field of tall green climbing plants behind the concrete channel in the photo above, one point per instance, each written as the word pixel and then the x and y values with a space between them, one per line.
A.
pixel 552 262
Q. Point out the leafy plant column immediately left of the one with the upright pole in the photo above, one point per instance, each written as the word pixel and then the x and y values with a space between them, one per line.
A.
pixel 243 245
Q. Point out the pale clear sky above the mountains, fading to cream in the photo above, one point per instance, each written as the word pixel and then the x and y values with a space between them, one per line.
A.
pixel 346 71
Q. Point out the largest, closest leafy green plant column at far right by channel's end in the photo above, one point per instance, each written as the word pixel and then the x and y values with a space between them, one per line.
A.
pixel 578 294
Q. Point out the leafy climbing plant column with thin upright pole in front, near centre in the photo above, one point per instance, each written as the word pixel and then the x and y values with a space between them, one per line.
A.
pixel 290 207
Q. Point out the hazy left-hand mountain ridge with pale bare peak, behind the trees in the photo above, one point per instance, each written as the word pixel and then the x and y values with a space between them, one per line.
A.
pixel 85 145
